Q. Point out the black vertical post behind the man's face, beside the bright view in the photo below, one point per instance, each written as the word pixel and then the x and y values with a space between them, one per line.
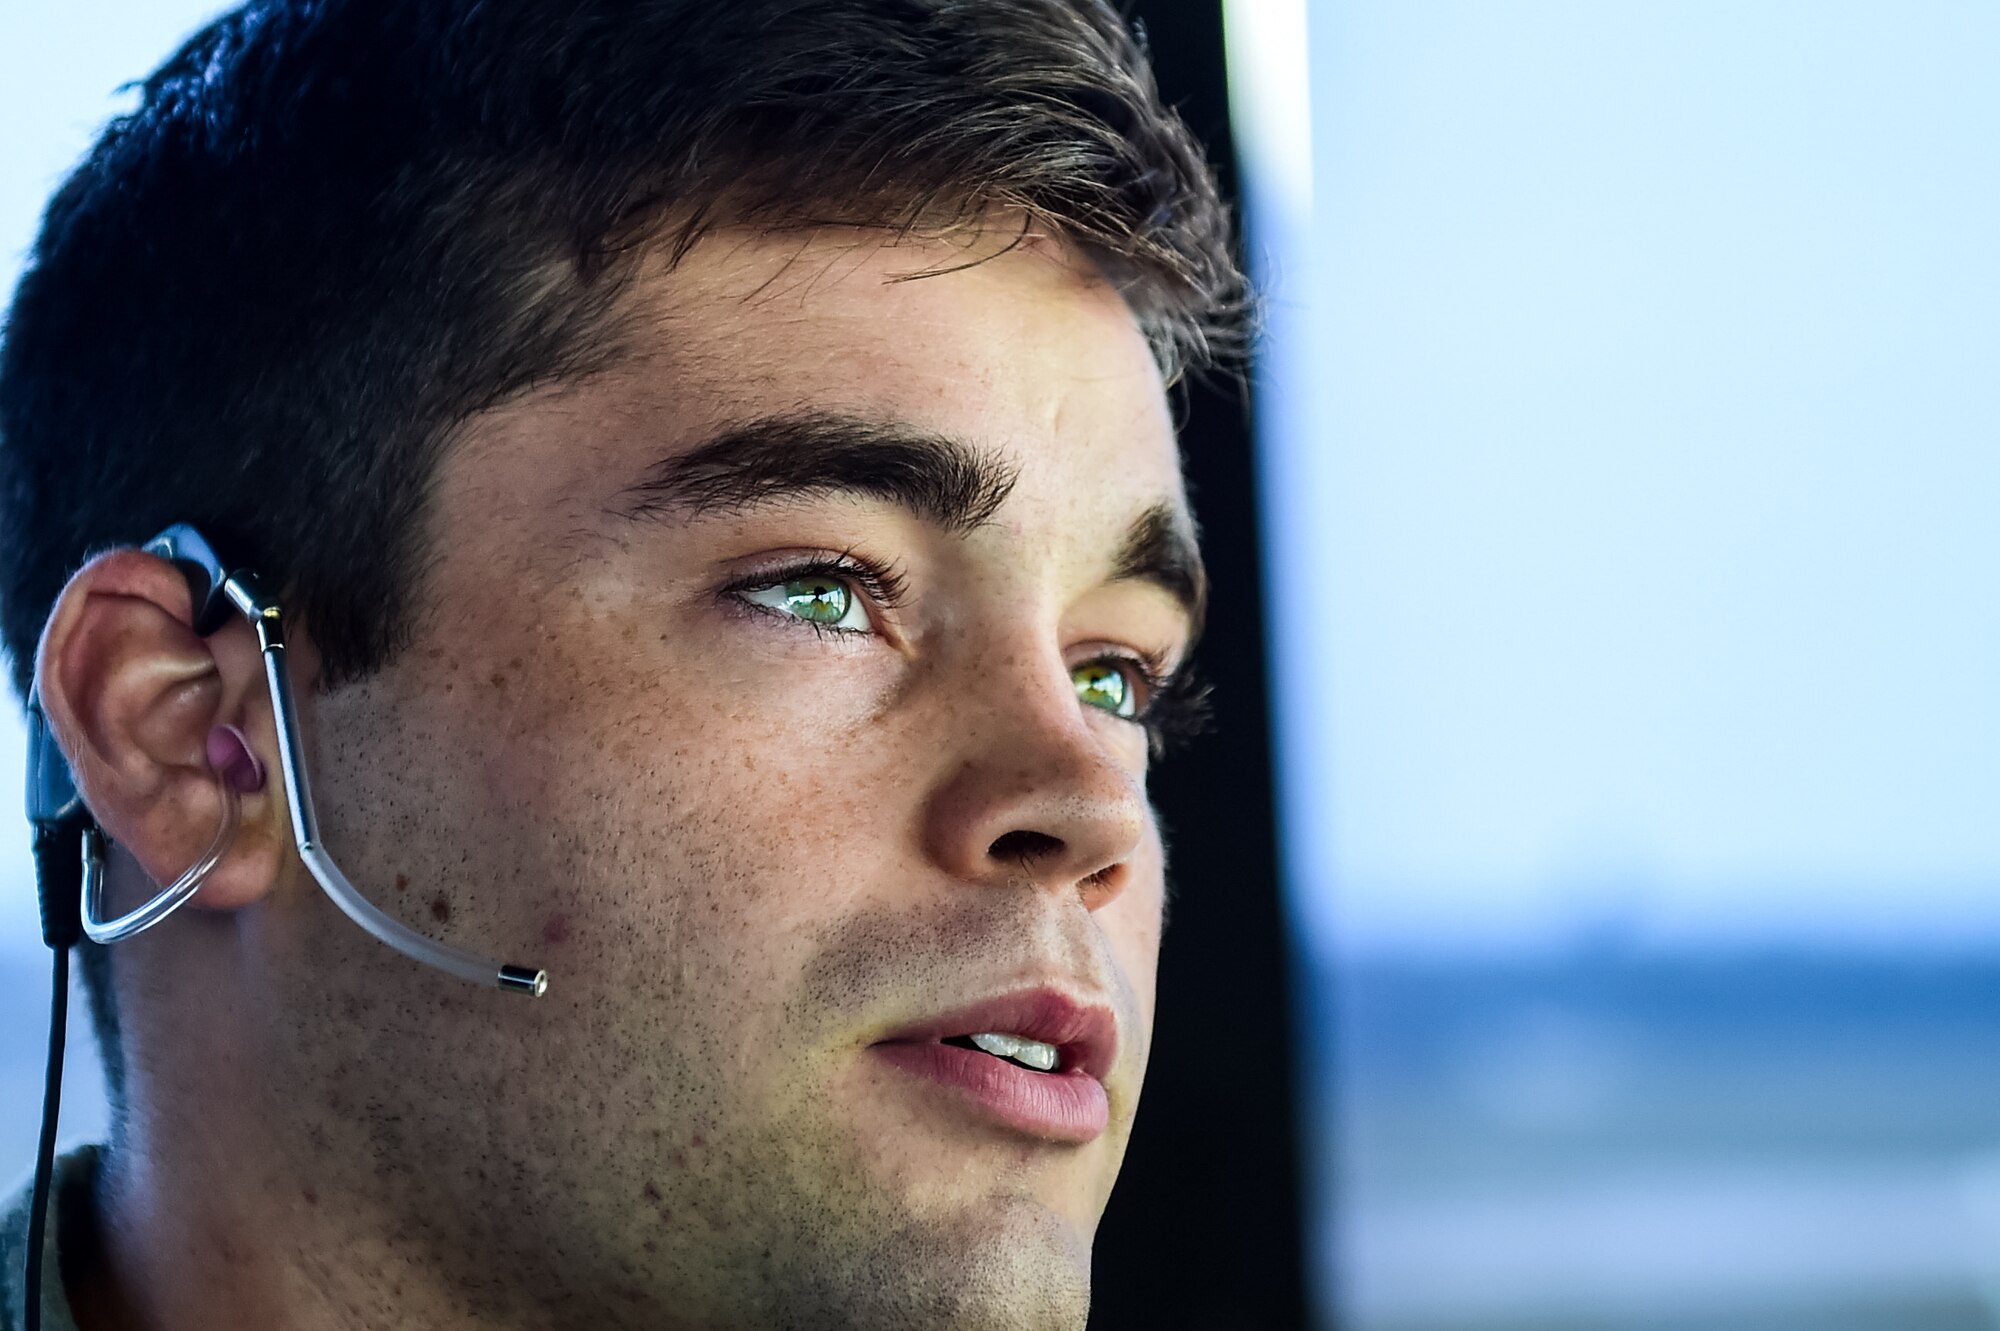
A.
pixel 1205 1228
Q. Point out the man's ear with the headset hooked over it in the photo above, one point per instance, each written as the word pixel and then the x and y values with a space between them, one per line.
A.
pixel 133 694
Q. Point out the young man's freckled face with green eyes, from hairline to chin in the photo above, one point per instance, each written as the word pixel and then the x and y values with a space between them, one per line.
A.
pixel 769 690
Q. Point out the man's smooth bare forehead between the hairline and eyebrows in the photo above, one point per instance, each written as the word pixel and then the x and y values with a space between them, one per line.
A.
pixel 1021 351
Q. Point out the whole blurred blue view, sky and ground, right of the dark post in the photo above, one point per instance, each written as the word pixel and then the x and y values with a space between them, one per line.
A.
pixel 1629 427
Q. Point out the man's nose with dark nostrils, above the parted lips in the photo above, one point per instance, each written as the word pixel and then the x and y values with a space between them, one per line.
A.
pixel 1035 792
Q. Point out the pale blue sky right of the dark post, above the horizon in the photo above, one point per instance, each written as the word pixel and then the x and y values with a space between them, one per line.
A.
pixel 1635 457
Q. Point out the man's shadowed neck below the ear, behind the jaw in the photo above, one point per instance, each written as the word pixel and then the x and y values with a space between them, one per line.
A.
pixel 243 1190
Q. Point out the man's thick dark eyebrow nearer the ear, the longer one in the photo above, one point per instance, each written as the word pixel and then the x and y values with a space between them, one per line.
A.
pixel 817 455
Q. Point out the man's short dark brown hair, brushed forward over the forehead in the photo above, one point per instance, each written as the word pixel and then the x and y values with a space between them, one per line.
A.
pixel 337 229
